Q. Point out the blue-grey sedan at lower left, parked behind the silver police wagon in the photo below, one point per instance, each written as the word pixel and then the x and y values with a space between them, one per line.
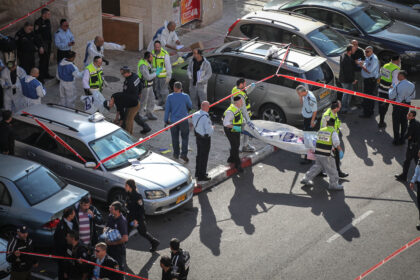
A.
pixel 32 195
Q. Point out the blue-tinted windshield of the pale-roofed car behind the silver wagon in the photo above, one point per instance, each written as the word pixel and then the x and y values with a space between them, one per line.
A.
pixel 330 42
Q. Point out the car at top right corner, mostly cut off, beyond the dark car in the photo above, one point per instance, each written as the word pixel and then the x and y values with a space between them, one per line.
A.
pixel 404 10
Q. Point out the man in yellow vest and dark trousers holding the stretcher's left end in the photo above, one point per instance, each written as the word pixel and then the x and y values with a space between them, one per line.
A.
pixel 232 122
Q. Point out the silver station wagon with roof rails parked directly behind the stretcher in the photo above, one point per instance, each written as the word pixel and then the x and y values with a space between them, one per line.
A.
pixel 275 99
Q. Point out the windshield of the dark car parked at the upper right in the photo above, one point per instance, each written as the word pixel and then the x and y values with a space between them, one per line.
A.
pixel 371 20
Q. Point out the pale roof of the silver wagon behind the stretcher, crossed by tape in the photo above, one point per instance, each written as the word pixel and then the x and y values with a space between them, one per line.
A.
pixel 297 61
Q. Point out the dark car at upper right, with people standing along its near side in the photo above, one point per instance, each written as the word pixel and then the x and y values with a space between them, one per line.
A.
pixel 366 24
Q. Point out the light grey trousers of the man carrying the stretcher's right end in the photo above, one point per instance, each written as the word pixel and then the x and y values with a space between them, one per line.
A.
pixel 328 165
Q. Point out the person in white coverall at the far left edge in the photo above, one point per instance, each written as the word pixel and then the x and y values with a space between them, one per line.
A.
pixel 12 89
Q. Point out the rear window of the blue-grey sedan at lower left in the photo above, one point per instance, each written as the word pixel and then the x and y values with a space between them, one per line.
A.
pixel 39 185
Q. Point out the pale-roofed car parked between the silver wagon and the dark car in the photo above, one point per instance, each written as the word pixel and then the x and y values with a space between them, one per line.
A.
pixel 302 31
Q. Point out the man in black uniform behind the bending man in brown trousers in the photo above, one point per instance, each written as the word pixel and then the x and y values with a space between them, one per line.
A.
pixel 132 86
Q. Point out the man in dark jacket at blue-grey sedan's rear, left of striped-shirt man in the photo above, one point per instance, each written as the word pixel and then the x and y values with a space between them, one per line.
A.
pixel 65 225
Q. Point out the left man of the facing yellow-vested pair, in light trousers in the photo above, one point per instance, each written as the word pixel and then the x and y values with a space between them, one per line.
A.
pixel 146 73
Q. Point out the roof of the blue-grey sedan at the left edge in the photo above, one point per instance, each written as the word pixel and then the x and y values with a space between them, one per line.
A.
pixel 13 168
